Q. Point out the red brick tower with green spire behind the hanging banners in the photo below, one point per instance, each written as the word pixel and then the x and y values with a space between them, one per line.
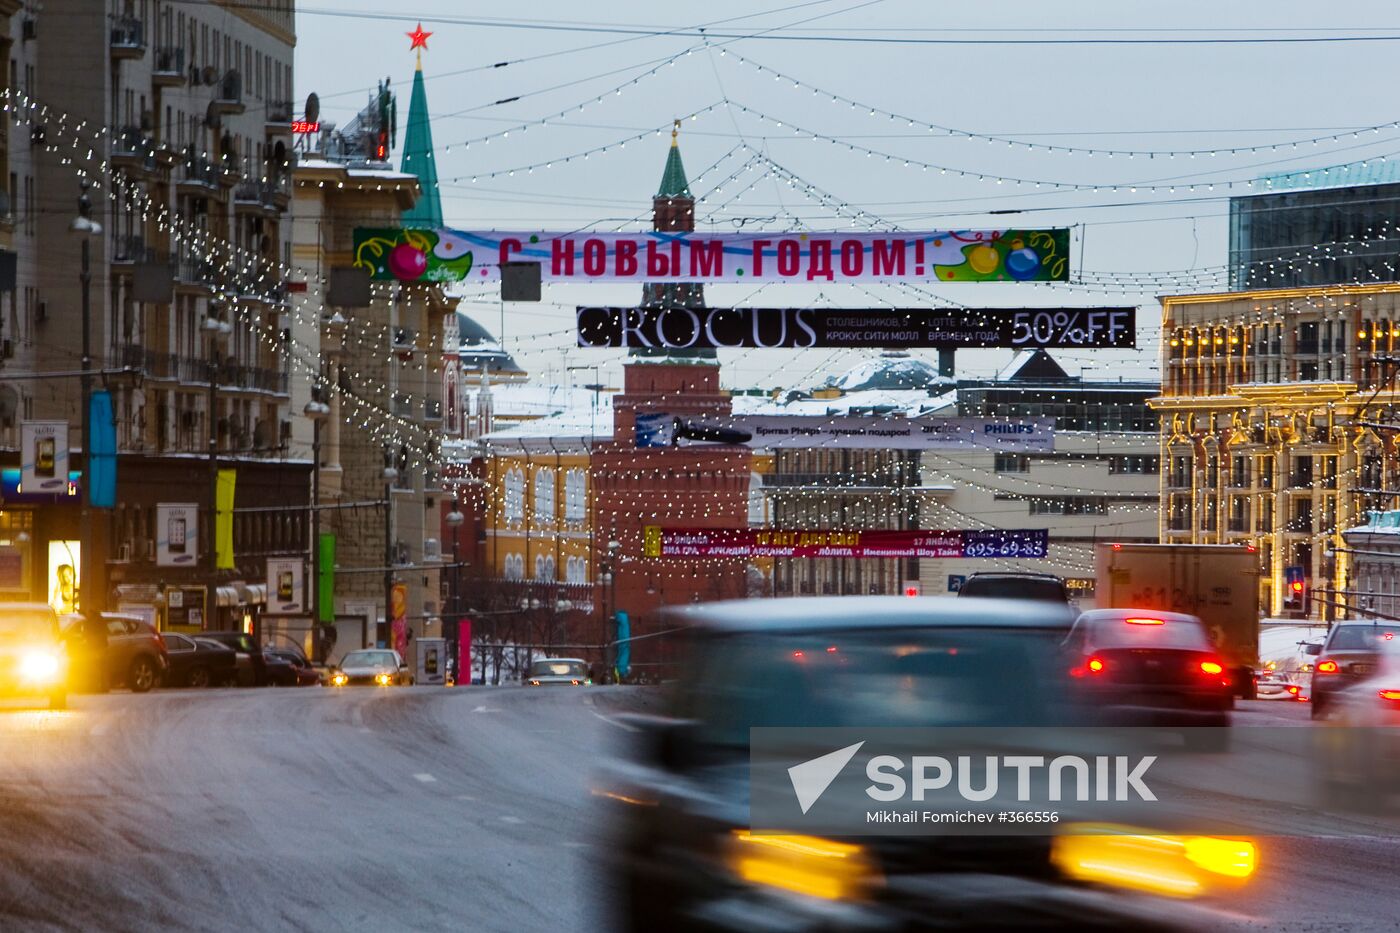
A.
pixel 681 487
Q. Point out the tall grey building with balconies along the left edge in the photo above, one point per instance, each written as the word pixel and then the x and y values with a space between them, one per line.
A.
pixel 166 106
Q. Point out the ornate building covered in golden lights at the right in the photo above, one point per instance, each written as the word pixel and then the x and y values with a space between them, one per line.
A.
pixel 1273 424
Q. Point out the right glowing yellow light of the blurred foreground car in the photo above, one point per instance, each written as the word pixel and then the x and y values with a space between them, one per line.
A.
pixel 1175 866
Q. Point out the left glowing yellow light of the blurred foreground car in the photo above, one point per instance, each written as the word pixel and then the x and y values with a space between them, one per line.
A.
pixel 804 865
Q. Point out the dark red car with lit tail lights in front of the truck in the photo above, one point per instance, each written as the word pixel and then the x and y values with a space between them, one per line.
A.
pixel 1135 668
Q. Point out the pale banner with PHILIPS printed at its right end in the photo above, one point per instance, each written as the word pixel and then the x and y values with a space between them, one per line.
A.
pixel 772 432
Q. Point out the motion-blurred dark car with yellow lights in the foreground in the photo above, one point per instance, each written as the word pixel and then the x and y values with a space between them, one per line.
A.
pixel 685 858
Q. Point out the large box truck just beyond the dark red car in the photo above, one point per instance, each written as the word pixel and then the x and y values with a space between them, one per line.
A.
pixel 1217 583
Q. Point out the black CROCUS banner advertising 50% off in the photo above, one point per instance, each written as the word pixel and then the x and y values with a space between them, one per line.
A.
pixel 856 329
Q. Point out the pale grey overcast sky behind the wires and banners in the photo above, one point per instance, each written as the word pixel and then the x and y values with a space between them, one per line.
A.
pixel 769 149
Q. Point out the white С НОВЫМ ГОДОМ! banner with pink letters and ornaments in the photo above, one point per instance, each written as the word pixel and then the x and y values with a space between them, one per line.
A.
pixel 950 256
